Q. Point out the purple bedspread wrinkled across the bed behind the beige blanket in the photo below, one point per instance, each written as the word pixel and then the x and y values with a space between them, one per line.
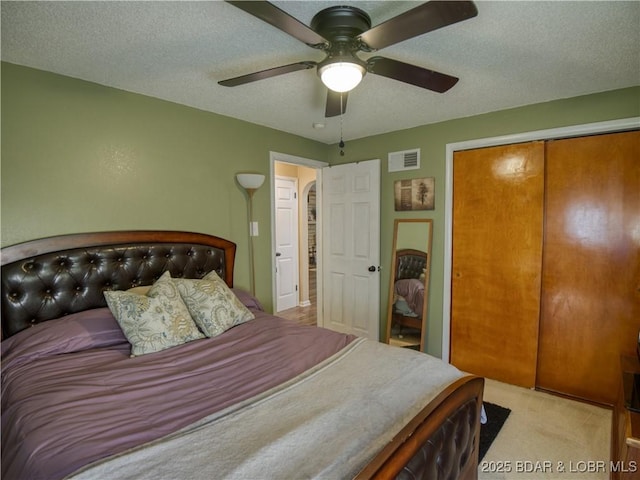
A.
pixel 71 394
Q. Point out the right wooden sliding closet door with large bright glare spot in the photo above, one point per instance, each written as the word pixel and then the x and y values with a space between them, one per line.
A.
pixel 591 268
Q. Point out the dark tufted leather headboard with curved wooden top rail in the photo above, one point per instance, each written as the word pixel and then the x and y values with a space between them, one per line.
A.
pixel 51 277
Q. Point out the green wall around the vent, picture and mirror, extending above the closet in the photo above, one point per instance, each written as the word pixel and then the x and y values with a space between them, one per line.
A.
pixel 432 140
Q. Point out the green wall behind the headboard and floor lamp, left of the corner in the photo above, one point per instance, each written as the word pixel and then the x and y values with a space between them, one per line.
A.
pixel 81 157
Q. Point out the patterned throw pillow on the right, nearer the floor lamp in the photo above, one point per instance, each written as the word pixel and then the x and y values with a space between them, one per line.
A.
pixel 212 304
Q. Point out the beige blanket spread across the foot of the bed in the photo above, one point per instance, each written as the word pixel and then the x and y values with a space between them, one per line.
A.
pixel 326 423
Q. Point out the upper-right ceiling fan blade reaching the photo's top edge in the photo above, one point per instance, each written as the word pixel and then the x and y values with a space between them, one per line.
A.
pixel 425 18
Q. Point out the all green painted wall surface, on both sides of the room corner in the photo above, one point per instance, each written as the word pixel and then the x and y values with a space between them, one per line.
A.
pixel 77 156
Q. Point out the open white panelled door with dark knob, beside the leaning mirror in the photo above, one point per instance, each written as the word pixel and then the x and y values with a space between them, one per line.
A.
pixel 351 248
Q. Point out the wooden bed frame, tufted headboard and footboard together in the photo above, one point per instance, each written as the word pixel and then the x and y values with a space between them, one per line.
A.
pixel 48 278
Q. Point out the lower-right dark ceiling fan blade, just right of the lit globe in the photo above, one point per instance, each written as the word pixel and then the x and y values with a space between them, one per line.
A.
pixel 407 73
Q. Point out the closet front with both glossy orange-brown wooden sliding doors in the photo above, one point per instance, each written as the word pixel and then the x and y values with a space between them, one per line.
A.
pixel 546 262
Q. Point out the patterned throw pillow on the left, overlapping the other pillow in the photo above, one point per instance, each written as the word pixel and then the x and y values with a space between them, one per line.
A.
pixel 155 321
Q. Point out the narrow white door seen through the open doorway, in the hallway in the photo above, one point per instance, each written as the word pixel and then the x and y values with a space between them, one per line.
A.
pixel 286 260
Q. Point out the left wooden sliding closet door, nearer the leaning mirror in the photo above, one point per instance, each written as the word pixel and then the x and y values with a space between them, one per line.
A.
pixel 498 201
